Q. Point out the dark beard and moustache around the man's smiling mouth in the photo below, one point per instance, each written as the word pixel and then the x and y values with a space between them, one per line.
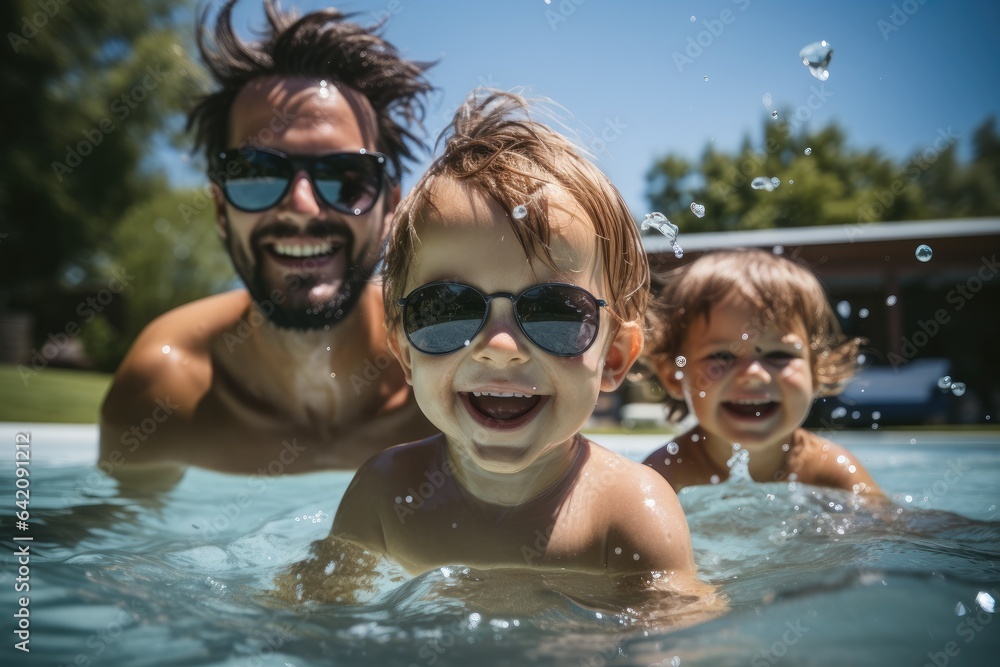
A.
pixel 323 308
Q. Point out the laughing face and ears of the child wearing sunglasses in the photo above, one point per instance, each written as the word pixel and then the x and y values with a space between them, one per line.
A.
pixel 469 240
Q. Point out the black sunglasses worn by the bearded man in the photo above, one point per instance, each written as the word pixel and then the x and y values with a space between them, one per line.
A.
pixel 256 179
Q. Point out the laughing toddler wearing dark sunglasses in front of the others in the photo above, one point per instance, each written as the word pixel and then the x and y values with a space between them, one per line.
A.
pixel 515 282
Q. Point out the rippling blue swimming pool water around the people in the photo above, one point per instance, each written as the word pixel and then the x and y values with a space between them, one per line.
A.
pixel 182 578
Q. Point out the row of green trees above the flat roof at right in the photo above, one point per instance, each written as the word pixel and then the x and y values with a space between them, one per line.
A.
pixel 823 181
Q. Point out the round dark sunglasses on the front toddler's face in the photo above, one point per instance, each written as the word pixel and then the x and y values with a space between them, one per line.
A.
pixel 444 317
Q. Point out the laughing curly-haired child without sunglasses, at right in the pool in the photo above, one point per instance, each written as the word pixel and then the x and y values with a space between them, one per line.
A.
pixel 744 340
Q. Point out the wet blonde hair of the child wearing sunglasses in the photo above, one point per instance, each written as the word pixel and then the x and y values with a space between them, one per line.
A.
pixel 493 145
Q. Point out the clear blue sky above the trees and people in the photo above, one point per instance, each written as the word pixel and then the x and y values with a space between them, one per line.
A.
pixel 632 73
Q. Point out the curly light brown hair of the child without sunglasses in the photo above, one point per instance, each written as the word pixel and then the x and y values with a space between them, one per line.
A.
pixel 783 292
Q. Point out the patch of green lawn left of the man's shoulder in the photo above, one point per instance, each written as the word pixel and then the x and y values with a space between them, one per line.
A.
pixel 51 395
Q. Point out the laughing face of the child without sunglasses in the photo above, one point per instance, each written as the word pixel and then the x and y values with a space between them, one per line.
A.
pixel 745 383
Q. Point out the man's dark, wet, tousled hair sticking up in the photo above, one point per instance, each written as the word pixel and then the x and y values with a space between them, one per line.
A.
pixel 323 45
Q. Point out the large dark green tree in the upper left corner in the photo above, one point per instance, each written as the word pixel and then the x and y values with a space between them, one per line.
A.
pixel 87 86
